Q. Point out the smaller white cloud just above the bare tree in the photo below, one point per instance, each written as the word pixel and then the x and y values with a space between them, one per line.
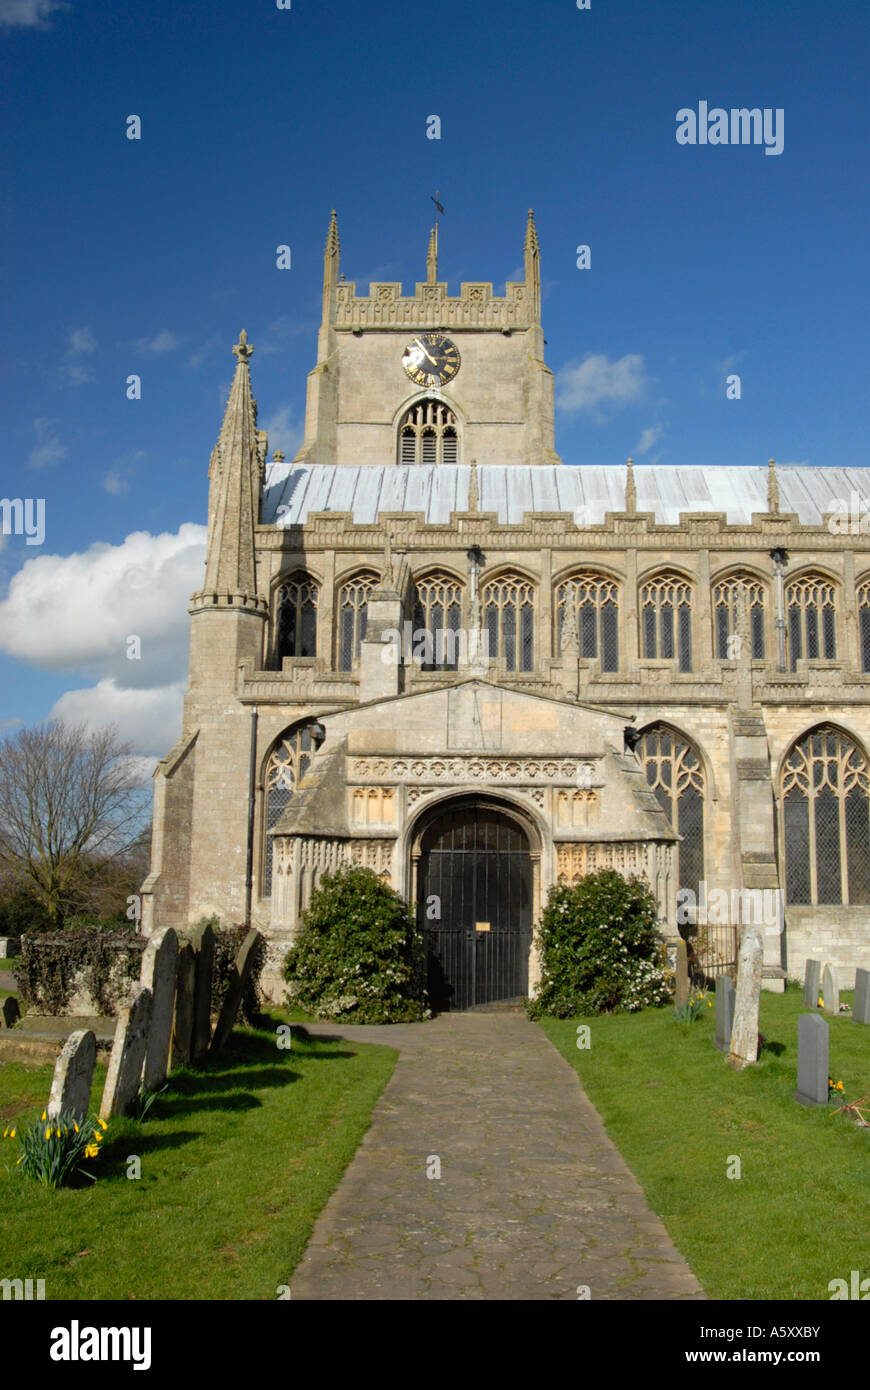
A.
pixel 148 719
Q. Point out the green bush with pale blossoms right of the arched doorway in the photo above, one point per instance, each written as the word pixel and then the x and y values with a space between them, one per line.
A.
pixel 601 950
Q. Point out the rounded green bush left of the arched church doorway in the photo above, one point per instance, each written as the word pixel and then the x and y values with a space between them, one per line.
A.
pixel 361 957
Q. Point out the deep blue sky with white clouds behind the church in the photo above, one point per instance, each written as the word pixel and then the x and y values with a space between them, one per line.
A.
pixel 149 256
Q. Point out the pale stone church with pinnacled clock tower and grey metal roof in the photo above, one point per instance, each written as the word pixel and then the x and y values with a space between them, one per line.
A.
pixel 429 647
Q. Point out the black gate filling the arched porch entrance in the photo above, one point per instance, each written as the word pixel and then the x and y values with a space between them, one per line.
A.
pixel 476 907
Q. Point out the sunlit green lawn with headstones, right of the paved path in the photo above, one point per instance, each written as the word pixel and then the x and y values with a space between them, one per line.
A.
pixel 797 1218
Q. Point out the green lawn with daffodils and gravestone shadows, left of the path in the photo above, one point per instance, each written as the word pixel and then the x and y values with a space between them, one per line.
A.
pixel 237 1164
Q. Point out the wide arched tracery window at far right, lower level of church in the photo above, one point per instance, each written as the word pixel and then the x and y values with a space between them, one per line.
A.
pixel 826 821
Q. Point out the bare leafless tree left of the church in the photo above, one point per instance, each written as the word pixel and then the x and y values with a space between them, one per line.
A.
pixel 67 796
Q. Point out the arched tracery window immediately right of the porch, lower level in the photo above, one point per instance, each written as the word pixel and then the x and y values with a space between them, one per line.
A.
pixel 675 774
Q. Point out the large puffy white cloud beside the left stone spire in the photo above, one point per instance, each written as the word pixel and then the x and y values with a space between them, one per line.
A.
pixel 77 612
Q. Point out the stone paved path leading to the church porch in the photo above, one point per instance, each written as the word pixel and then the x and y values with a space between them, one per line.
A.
pixel 533 1200
